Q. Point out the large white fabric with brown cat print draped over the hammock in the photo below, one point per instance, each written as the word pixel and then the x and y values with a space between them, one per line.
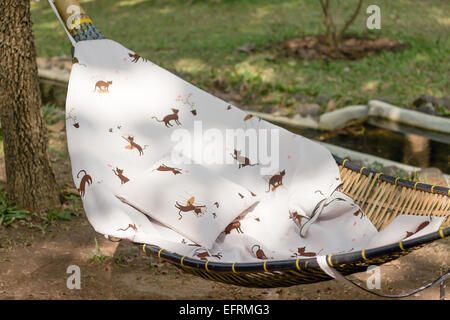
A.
pixel 124 114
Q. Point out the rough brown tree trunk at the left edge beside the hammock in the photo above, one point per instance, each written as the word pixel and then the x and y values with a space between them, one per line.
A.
pixel 31 182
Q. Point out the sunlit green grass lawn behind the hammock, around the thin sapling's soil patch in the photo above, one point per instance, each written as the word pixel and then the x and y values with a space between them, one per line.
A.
pixel 198 39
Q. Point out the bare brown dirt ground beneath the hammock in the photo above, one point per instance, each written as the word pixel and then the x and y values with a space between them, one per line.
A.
pixel 33 263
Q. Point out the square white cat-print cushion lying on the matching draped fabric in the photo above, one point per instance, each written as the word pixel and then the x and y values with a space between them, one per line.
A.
pixel 205 203
